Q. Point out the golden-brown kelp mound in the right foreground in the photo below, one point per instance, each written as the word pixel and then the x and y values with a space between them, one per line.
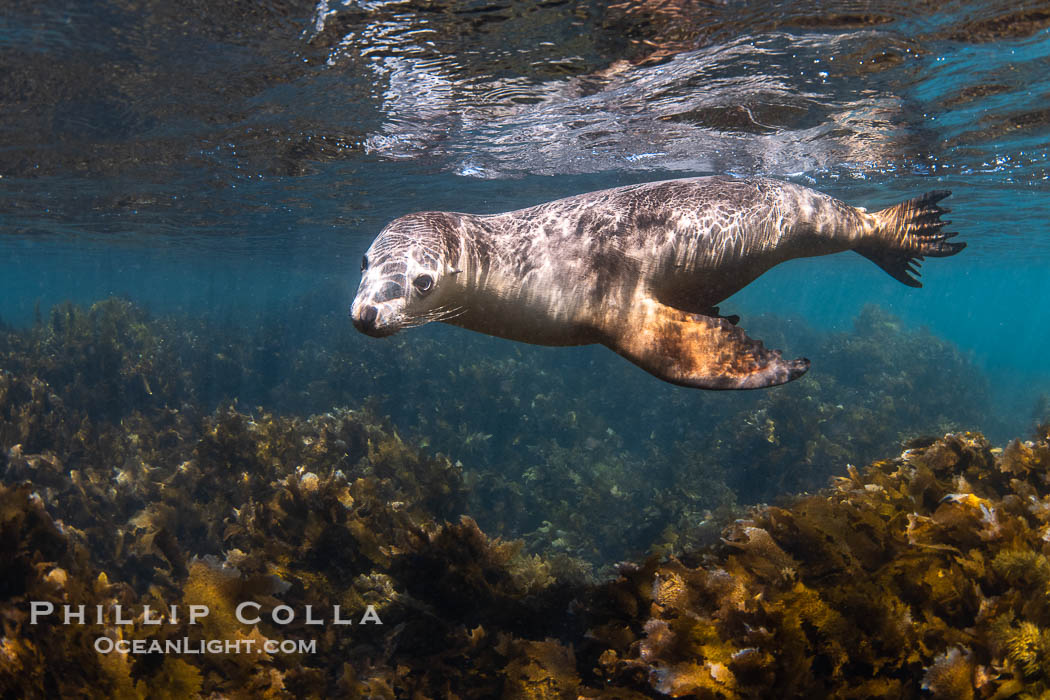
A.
pixel 925 572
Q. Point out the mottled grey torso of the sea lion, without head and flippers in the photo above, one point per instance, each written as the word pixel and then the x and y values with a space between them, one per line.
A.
pixel 551 271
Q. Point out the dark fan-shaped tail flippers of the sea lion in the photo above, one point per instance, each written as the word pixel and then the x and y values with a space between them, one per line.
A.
pixel 909 232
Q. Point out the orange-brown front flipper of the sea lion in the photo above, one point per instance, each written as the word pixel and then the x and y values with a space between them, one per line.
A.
pixel 700 351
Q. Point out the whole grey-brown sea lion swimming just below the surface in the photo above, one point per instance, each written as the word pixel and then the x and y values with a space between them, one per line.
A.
pixel 639 269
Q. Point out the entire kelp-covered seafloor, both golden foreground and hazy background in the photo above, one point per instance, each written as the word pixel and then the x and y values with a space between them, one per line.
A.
pixel 131 479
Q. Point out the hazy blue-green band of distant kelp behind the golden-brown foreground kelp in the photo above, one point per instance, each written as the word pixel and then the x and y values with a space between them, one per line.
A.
pixel 548 450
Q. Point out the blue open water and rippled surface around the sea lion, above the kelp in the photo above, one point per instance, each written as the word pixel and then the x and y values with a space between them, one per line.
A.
pixel 227 161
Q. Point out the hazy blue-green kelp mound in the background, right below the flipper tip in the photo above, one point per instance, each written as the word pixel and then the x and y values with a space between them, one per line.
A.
pixel 877 386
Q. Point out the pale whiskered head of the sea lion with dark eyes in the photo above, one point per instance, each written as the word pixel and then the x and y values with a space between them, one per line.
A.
pixel 407 277
